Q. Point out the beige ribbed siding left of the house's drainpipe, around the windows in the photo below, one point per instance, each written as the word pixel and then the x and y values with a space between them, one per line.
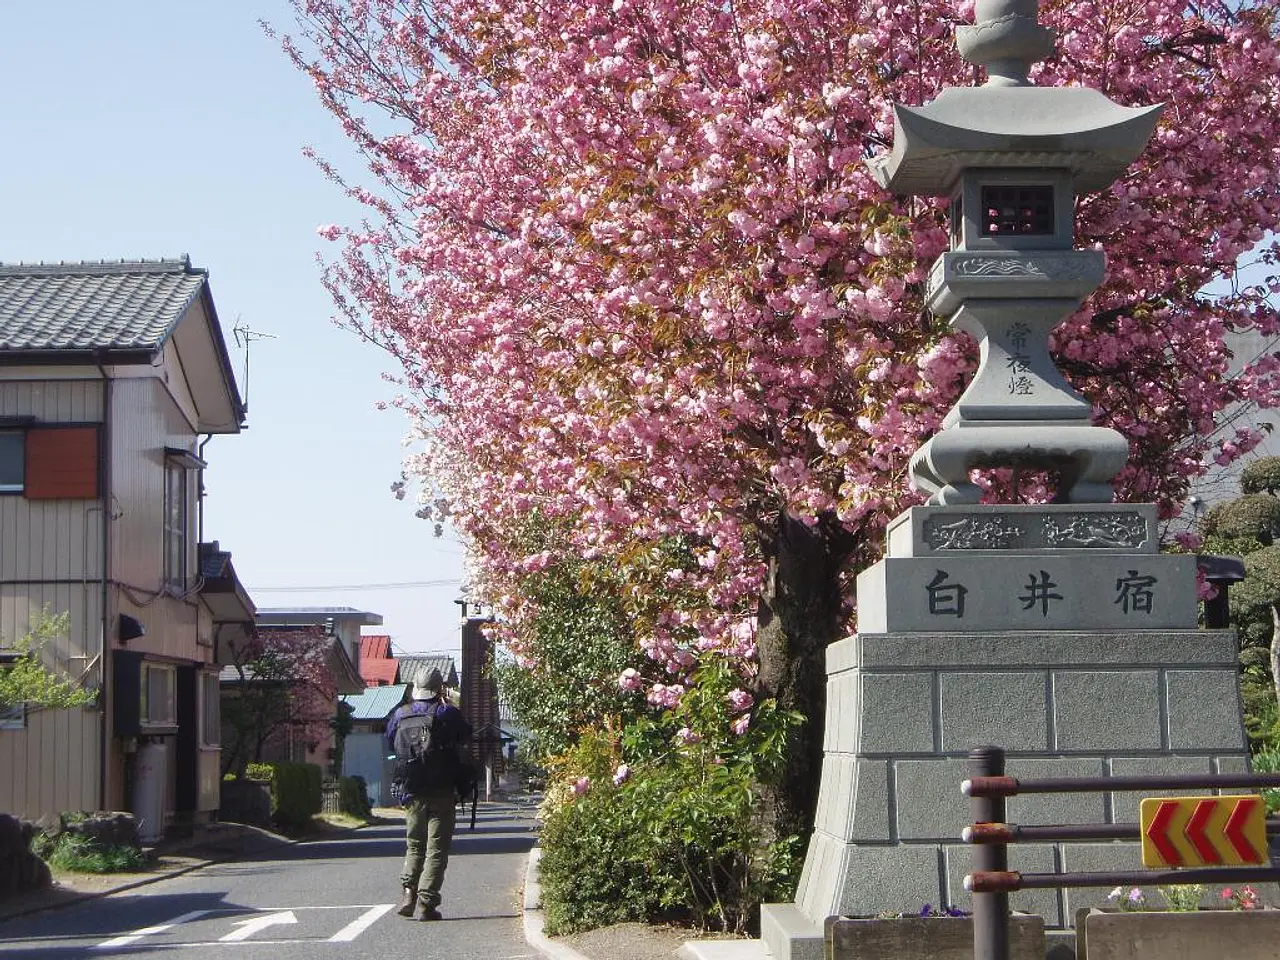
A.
pixel 52 557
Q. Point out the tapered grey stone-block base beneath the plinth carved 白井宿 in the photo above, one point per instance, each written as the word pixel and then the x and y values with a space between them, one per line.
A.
pixel 904 710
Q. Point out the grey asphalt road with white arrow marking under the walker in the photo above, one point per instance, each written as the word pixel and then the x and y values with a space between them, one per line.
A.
pixel 310 902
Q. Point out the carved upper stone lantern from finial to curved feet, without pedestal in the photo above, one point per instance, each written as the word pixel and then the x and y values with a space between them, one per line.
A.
pixel 1013 158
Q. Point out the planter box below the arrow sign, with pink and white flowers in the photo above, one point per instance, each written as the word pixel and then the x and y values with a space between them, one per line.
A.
pixel 1200 935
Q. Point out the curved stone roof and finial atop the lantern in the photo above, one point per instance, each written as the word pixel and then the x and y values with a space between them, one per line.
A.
pixel 1009 124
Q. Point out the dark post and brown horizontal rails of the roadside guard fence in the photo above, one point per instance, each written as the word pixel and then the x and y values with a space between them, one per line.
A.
pixel 993 881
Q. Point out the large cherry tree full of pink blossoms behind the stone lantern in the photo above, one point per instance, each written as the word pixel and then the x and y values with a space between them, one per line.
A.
pixel 644 287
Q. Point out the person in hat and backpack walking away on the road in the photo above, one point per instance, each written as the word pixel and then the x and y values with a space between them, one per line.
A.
pixel 427 737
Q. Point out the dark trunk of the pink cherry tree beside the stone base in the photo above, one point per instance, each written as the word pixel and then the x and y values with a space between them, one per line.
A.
pixel 799 618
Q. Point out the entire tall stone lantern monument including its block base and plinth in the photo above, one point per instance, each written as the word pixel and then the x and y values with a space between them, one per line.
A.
pixel 1057 632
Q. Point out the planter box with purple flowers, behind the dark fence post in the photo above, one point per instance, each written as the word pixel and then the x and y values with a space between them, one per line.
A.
pixel 926 939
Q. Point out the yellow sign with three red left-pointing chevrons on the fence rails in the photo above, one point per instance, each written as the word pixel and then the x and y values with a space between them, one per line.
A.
pixel 1204 831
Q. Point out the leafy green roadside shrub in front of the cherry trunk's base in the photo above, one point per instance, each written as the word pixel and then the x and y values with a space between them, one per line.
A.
pixel 675 834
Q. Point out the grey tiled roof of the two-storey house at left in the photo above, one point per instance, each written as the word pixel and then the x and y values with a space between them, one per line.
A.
pixel 122 305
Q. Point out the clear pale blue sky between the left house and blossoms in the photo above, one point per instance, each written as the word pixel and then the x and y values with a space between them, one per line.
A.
pixel 148 129
